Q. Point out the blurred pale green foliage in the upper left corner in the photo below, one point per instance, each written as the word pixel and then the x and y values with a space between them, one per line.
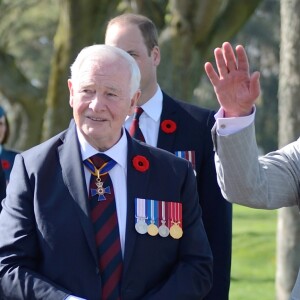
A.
pixel 27 29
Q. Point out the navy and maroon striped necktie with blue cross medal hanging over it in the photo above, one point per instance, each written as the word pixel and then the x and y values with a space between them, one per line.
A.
pixel 104 218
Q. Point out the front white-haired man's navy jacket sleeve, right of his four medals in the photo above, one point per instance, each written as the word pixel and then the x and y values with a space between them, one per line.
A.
pixel 192 276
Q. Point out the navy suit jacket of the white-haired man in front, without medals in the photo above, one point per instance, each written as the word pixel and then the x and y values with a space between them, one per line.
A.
pixel 47 245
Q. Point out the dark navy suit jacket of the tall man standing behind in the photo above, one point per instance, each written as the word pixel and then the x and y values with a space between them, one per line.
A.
pixel 193 132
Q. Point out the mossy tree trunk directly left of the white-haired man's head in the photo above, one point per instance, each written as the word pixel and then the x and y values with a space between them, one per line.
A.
pixel 81 24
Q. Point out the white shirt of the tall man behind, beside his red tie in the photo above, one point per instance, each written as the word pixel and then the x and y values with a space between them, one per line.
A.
pixel 150 119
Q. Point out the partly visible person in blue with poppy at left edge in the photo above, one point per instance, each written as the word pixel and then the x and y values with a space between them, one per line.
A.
pixel 7 156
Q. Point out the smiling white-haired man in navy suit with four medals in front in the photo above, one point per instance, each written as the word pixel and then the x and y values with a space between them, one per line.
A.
pixel 128 227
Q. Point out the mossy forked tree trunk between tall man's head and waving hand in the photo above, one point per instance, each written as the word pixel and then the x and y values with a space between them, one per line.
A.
pixel 194 29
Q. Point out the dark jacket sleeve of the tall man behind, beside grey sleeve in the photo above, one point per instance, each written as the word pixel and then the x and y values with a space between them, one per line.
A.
pixel 217 219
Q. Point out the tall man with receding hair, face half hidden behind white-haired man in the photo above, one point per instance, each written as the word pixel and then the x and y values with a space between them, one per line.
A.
pixel 182 129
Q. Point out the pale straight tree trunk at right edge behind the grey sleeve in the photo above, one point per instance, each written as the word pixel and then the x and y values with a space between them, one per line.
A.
pixel 288 233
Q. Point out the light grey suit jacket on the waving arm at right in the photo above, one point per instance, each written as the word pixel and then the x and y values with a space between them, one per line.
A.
pixel 271 182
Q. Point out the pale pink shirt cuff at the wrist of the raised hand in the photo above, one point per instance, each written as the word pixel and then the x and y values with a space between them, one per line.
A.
pixel 227 126
